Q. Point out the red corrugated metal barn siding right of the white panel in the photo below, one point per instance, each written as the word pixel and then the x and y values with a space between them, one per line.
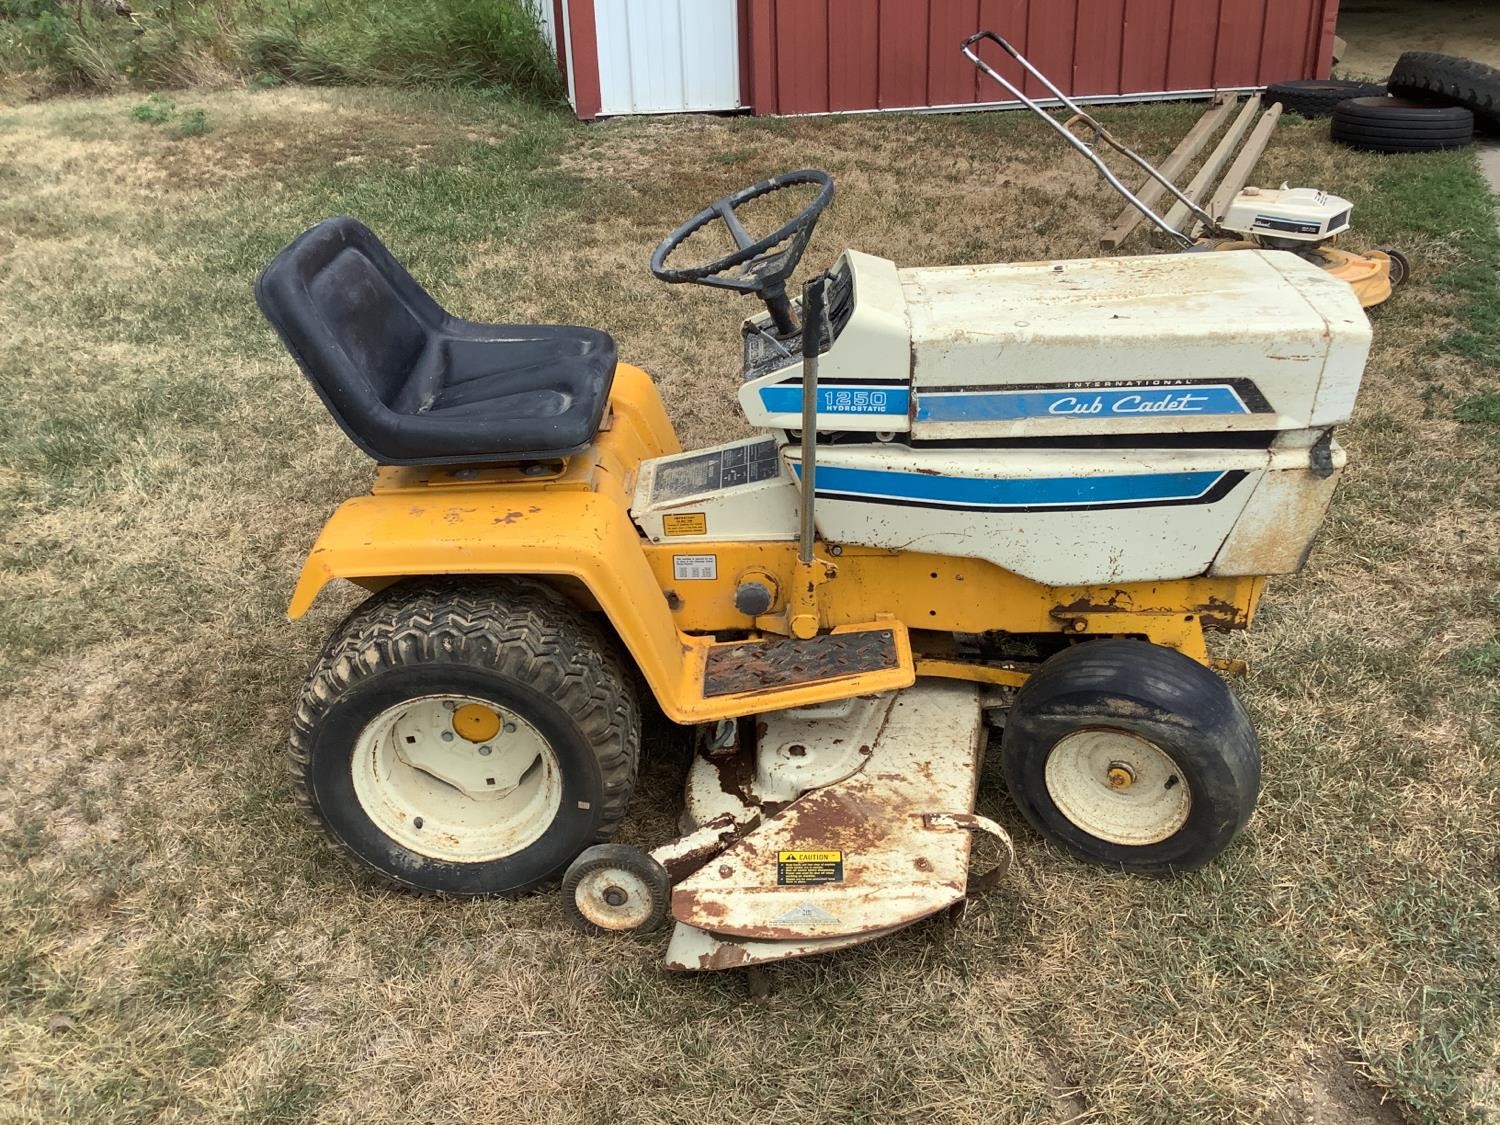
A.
pixel 820 56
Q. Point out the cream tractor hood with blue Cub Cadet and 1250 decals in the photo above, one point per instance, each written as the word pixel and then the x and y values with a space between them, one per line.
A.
pixel 1180 343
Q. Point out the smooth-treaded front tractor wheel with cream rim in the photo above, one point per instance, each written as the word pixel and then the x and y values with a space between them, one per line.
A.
pixel 1132 755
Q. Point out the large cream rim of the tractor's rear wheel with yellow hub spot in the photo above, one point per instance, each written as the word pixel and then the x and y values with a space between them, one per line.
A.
pixel 449 796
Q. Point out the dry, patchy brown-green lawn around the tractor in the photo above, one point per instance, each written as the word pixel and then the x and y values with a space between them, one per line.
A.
pixel 176 944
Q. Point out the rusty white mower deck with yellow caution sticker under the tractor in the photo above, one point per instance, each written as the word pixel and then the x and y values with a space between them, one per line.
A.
pixel 875 848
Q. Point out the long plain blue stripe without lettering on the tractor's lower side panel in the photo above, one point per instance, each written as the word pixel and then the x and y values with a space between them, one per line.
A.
pixel 1150 488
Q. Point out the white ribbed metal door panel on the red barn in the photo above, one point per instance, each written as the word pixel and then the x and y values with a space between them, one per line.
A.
pixel 668 56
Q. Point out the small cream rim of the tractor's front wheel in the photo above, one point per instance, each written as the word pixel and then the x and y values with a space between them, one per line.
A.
pixel 1118 787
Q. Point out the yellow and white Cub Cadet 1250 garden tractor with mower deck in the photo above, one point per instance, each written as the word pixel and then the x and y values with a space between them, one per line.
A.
pixel 1018 494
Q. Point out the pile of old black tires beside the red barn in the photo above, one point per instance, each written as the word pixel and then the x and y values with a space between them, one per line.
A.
pixel 1432 103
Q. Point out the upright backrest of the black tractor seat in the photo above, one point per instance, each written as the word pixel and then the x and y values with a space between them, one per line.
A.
pixel 352 317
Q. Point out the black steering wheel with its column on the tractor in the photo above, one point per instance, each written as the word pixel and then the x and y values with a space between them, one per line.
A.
pixel 760 266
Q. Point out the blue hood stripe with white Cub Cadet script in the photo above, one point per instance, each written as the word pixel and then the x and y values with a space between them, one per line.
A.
pixel 1114 403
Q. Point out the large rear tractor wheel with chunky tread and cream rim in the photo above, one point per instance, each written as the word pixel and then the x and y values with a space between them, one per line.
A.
pixel 467 739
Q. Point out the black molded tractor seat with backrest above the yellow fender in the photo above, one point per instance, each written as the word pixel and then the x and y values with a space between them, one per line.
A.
pixel 415 386
